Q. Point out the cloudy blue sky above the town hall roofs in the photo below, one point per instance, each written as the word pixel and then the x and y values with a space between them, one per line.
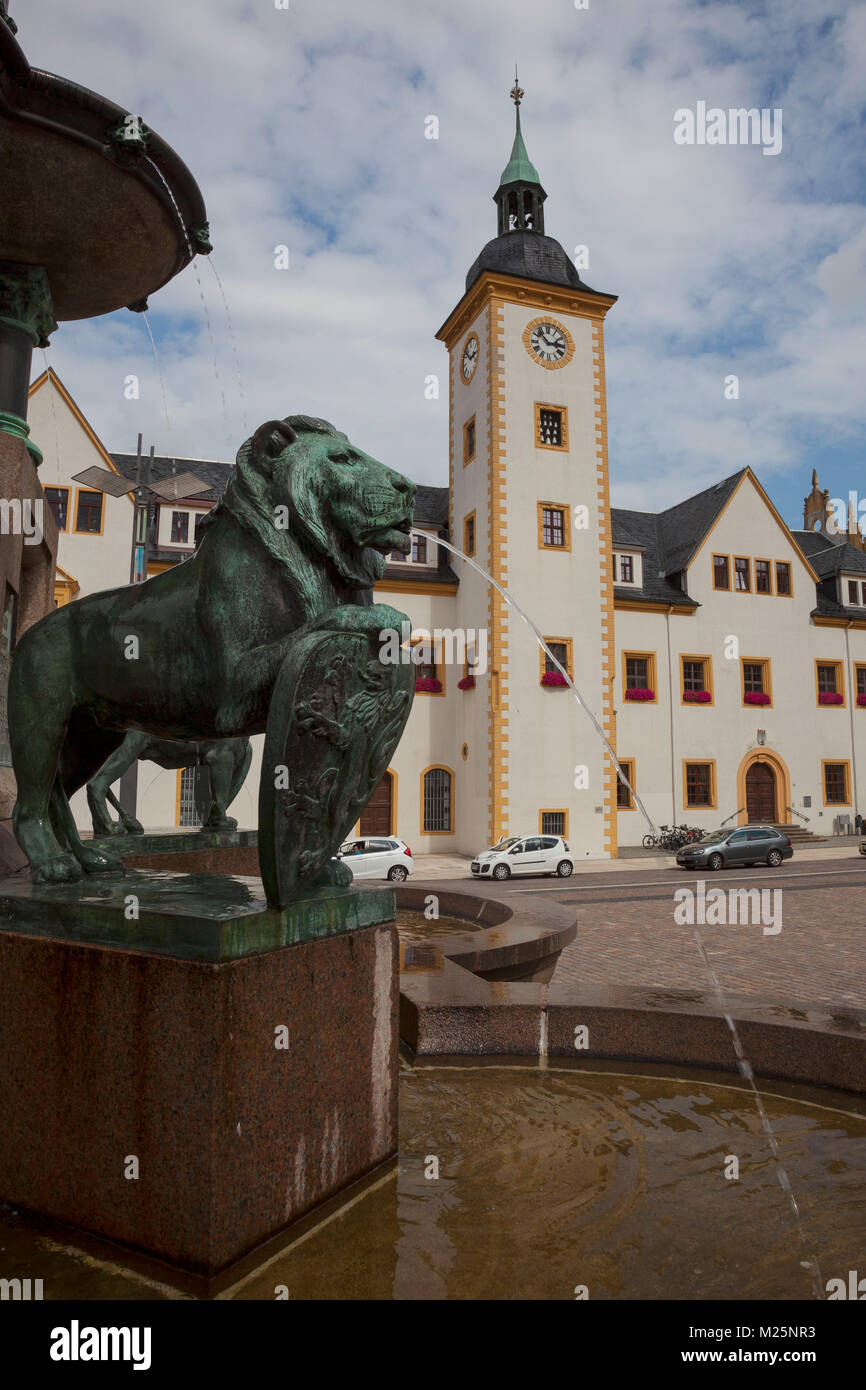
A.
pixel 305 127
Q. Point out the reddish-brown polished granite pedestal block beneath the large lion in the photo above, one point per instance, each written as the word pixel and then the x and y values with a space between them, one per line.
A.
pixel 195 1110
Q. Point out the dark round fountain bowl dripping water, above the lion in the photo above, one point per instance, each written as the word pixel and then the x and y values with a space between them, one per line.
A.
pixel 84 204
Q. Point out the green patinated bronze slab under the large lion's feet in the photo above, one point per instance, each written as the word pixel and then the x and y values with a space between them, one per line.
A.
pixel 211 918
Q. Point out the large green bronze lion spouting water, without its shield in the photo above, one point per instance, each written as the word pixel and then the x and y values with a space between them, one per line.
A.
pixel 295 544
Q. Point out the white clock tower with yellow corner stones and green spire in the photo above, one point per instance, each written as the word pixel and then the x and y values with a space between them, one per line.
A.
pixel 529 498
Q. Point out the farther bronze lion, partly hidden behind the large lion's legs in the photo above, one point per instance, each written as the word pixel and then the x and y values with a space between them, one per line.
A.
pixel 227 761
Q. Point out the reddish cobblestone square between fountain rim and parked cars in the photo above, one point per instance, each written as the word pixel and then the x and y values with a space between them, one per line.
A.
pixel 626 932
